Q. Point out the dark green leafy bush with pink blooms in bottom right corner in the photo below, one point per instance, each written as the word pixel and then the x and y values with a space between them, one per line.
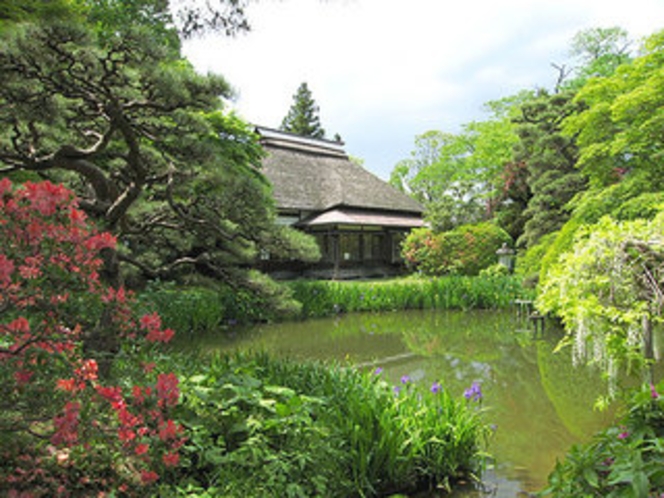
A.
pixel 624 460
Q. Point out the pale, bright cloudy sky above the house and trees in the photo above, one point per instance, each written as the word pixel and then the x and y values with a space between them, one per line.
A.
pixel 384 71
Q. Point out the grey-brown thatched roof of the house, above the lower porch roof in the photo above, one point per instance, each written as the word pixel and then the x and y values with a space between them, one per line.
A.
pixel 317 175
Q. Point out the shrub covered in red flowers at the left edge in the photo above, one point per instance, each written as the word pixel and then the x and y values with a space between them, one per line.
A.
pixel 66 427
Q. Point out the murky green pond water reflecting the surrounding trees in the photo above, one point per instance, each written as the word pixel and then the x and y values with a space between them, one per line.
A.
pixel 537 401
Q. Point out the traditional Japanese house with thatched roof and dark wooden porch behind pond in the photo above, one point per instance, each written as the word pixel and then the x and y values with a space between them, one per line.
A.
pixel 358 220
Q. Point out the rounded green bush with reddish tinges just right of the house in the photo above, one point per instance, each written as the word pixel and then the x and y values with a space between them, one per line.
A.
pixel 464 250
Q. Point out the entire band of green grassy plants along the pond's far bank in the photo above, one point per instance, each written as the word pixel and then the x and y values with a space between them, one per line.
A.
pixel 192 310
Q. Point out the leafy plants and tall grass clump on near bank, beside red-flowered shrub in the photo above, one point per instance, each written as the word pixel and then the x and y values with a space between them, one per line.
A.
pixel 271 427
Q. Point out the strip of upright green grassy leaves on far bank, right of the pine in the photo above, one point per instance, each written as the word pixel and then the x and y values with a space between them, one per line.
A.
pixel 325 298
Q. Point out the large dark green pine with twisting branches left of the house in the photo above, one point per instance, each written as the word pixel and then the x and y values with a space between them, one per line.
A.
pixel 145 142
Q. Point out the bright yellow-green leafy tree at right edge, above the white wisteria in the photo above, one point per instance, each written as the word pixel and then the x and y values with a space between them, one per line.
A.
pixel 619 146
